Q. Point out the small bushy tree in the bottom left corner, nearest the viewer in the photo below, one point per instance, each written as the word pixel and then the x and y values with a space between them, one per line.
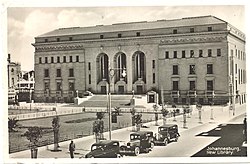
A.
pixel 33 134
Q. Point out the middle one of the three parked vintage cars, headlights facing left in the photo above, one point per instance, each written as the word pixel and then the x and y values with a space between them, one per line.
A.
pixel 141 141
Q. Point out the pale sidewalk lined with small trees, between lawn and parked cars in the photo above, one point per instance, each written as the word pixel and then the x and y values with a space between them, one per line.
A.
pixel 220 115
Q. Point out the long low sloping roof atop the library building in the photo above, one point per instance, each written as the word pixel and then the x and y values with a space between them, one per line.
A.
pixel 134 26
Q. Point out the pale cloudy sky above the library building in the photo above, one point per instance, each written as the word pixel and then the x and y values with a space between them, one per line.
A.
pixel 26 23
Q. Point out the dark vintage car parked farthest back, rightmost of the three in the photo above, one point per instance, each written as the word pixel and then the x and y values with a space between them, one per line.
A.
pixel 166 133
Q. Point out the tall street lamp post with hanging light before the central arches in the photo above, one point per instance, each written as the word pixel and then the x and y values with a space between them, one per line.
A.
pixel 111 75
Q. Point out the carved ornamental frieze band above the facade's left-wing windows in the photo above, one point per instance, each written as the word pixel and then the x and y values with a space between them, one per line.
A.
pixel 58 47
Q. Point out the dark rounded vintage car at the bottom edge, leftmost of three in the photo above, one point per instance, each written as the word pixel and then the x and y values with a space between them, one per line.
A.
pixel 104 149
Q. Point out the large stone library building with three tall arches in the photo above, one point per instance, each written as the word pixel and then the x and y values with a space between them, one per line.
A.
pixel 191 59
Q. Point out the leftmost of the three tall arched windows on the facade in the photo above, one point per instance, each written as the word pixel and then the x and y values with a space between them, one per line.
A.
pixel 103 65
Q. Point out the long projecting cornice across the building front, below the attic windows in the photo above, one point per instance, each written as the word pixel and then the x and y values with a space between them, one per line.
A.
pixel 157 39
